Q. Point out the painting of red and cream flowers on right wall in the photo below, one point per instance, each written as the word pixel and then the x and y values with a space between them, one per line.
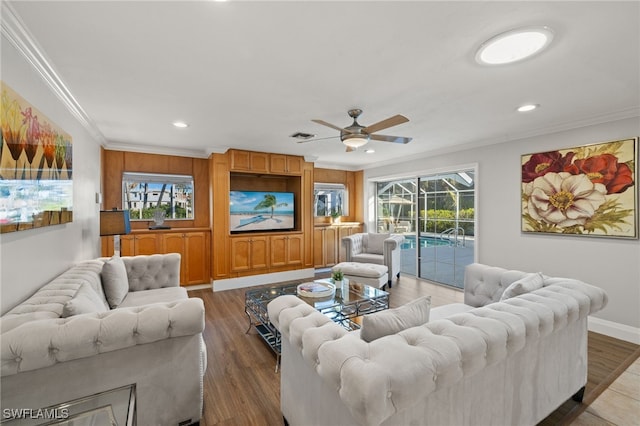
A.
pixel 588 190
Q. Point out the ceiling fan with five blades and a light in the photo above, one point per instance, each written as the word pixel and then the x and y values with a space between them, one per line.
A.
pixel 355 136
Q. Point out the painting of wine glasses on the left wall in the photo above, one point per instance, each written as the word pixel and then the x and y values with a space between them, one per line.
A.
pixel 36 187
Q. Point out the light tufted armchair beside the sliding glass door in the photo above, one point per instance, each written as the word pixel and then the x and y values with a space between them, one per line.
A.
pixel 377 248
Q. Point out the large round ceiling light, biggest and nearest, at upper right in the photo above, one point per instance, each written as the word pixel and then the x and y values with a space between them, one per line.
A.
pixel 513 46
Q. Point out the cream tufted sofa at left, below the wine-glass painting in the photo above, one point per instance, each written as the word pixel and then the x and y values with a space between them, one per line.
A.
pixel 153 339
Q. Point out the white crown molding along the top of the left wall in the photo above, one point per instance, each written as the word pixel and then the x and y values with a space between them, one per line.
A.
pixel 16 32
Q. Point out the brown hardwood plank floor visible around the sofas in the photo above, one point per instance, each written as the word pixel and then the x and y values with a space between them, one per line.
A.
pixel 241 386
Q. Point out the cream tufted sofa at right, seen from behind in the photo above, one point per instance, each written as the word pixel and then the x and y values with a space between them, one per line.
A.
pixel 506 363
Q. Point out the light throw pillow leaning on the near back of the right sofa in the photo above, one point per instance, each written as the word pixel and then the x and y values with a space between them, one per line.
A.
pixel 391 321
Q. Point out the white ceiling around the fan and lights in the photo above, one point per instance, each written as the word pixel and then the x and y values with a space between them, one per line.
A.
pixel 249 74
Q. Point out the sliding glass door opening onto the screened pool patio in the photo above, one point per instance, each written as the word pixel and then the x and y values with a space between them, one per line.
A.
pixel 436 214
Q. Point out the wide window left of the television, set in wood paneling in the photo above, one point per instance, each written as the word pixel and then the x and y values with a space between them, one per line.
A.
pixel 145 193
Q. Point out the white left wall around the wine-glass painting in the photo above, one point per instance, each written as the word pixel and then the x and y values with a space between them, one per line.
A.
pixel 31 258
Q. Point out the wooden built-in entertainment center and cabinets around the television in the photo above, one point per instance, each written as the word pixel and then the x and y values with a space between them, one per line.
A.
pixel 209 249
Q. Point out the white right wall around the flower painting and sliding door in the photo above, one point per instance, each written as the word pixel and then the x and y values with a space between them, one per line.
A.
pixel 612 264
